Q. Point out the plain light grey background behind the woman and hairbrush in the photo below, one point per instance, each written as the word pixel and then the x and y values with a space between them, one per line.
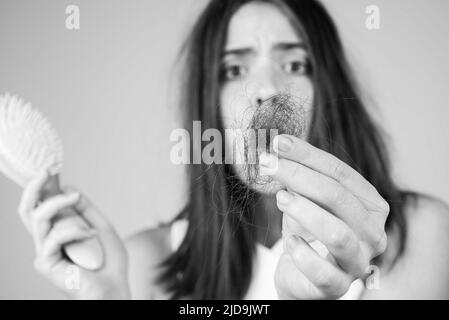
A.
pixel 110 90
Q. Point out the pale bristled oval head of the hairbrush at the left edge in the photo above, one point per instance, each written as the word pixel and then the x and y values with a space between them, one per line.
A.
pixel 28 142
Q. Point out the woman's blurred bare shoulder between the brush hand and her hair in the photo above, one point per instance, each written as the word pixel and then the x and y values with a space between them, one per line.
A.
pixel 147 249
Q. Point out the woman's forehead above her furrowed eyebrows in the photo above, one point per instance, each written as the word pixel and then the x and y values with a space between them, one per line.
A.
pixel 259 24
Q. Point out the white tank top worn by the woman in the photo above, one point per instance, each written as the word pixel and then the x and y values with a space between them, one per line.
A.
pixel 262 283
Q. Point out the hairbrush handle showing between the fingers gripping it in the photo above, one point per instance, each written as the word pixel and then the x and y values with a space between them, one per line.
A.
pixel 86 253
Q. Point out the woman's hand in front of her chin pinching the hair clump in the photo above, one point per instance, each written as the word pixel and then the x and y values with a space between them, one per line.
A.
pixel 328 201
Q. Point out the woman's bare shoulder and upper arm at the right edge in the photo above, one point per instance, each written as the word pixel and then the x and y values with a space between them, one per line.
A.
pixel 422 272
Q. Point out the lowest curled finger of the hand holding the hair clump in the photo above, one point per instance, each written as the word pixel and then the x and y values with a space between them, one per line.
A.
pixel 326 277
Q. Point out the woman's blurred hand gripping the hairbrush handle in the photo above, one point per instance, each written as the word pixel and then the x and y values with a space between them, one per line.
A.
pixel 110 281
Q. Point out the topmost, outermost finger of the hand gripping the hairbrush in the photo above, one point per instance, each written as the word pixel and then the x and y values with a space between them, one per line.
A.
pixel 30 197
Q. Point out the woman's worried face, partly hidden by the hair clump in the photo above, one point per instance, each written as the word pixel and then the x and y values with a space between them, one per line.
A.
pixel 263 56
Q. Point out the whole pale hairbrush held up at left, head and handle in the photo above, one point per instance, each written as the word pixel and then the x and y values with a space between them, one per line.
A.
pixel 29 145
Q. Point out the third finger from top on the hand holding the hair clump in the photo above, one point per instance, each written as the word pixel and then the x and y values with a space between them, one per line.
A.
pixel 336 235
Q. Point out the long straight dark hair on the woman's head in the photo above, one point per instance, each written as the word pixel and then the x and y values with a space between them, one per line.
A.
pixel 214 261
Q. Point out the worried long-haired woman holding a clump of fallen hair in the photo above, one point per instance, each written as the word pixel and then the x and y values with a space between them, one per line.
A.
pixel 325 185
